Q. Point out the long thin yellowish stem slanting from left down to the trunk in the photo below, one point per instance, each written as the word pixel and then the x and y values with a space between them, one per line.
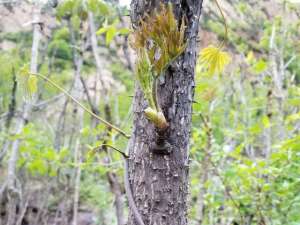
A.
pixel 81 105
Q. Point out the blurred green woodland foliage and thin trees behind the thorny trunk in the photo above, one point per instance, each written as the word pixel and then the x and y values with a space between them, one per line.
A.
pixel 245 141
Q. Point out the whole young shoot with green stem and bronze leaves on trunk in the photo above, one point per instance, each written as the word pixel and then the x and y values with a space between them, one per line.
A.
pixel 158 41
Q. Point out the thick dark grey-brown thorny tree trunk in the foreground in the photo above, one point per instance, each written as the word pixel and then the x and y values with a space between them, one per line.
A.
pixel 160 182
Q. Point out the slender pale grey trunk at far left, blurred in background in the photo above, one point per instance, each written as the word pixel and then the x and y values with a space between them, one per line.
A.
pixel 13 193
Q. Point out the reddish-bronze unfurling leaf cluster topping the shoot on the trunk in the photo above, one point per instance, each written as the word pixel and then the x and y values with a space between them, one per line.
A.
pixel 166 36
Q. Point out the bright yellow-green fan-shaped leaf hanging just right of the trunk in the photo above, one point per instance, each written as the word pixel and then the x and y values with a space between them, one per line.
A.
pixel 214 59
